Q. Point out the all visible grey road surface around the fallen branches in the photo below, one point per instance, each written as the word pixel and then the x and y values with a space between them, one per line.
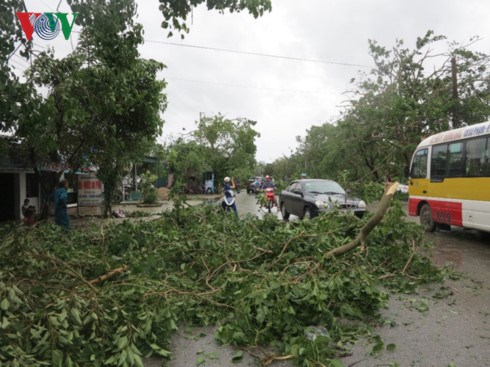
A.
pixel 428 331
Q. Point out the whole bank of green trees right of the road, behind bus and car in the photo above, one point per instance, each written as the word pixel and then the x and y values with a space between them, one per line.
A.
pixel 411 93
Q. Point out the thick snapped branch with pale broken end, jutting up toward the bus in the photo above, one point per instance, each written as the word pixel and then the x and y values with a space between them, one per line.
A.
pixel 384 204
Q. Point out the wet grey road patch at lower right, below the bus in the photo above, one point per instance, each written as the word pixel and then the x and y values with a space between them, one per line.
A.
pixel 445 325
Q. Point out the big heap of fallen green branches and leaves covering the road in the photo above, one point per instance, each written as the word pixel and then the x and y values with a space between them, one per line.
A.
pixel 111 296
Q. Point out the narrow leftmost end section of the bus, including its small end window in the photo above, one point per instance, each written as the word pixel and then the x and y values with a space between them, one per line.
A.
pixel 418 184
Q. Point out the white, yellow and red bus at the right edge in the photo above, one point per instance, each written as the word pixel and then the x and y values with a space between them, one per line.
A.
pixel 449 181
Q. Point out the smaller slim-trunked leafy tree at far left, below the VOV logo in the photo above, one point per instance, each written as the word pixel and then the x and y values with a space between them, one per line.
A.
pixel 52 129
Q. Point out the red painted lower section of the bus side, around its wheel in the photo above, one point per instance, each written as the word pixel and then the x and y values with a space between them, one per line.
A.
pixel 448 212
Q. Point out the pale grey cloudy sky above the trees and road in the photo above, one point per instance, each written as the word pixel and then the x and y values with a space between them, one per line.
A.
pixel 315 47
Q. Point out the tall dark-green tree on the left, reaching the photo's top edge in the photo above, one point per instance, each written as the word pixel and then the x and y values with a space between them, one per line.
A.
pixel 124 97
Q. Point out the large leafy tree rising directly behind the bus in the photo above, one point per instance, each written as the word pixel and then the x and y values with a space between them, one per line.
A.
pixel 407 96
